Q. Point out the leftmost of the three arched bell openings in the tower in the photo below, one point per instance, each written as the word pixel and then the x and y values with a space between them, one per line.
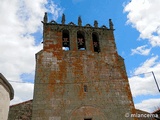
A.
pixel 65 40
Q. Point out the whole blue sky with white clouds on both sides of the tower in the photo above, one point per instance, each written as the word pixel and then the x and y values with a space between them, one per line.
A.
pixel 137 36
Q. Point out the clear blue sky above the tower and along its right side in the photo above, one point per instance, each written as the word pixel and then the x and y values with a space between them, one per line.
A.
pixel 125 36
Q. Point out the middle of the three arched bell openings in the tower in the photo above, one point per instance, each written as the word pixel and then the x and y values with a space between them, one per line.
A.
pixel 81 41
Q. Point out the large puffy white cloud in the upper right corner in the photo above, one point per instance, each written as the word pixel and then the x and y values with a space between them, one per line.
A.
pixel 143 15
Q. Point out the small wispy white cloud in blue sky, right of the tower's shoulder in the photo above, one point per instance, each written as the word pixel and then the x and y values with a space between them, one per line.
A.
pixel 142 50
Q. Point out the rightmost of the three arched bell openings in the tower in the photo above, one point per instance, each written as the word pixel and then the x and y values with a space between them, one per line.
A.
pixel 96 46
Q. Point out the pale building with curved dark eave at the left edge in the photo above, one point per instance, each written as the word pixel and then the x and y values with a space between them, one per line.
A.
pixel 6 94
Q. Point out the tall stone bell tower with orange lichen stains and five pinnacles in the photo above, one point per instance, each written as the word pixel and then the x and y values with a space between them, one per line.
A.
pixel 79 74
